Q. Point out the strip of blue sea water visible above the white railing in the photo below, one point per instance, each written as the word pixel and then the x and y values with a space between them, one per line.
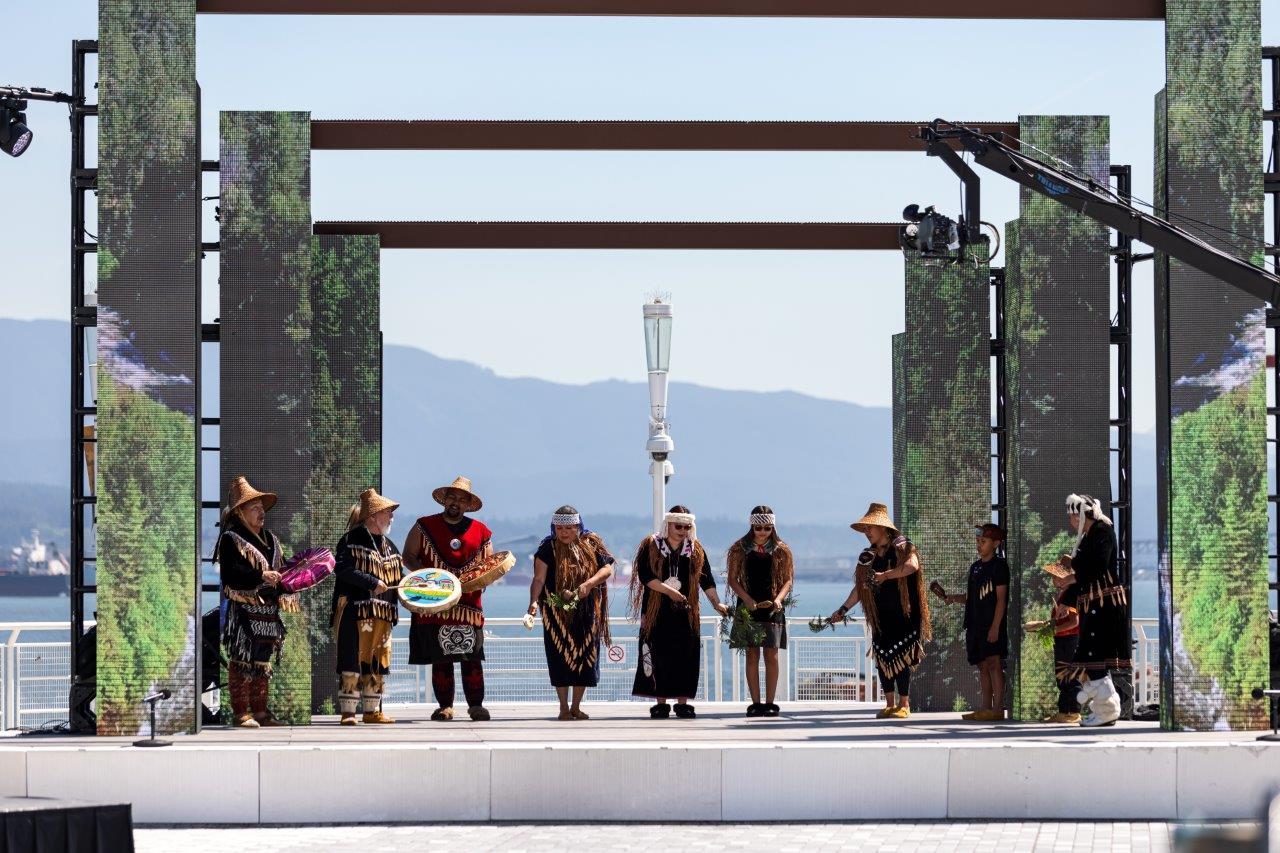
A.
pixel 511 600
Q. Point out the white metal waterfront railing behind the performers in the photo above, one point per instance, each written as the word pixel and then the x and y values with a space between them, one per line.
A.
pixel 831 667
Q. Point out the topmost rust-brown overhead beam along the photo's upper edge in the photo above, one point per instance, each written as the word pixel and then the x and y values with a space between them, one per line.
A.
pixel 1012 10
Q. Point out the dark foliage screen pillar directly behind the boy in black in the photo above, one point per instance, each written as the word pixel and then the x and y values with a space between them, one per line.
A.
pixel 1058 363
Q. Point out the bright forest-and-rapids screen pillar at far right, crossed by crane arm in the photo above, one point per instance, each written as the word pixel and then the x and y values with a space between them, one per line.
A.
pixel 1212 352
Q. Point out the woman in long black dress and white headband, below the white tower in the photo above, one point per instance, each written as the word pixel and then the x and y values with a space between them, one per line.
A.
pixel 668 573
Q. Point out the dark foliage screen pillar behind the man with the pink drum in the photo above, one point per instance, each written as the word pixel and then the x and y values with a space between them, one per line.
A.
pixel 267 341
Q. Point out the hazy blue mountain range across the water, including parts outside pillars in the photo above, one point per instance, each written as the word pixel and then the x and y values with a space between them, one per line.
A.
pixel 531 445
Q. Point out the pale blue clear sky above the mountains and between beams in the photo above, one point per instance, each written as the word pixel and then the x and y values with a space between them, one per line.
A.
pixel 819 323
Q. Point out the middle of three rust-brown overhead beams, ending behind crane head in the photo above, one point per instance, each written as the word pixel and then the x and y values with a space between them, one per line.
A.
pixel 359 135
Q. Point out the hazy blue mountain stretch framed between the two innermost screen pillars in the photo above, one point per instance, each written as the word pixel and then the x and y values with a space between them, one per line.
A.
pixel 531 445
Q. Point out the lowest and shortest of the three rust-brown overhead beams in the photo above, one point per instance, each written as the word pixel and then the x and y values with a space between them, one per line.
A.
pixel 624 235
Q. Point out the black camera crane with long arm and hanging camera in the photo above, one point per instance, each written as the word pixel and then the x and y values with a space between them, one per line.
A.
pixel 935 236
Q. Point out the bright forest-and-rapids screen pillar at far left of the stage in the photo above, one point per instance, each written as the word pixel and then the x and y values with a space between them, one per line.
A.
pixel 149 332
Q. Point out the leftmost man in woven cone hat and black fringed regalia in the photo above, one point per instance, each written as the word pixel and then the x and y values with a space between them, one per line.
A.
pixel 253 631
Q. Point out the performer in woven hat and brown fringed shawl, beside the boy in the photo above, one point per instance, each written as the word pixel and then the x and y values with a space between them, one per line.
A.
pixel 890 585
